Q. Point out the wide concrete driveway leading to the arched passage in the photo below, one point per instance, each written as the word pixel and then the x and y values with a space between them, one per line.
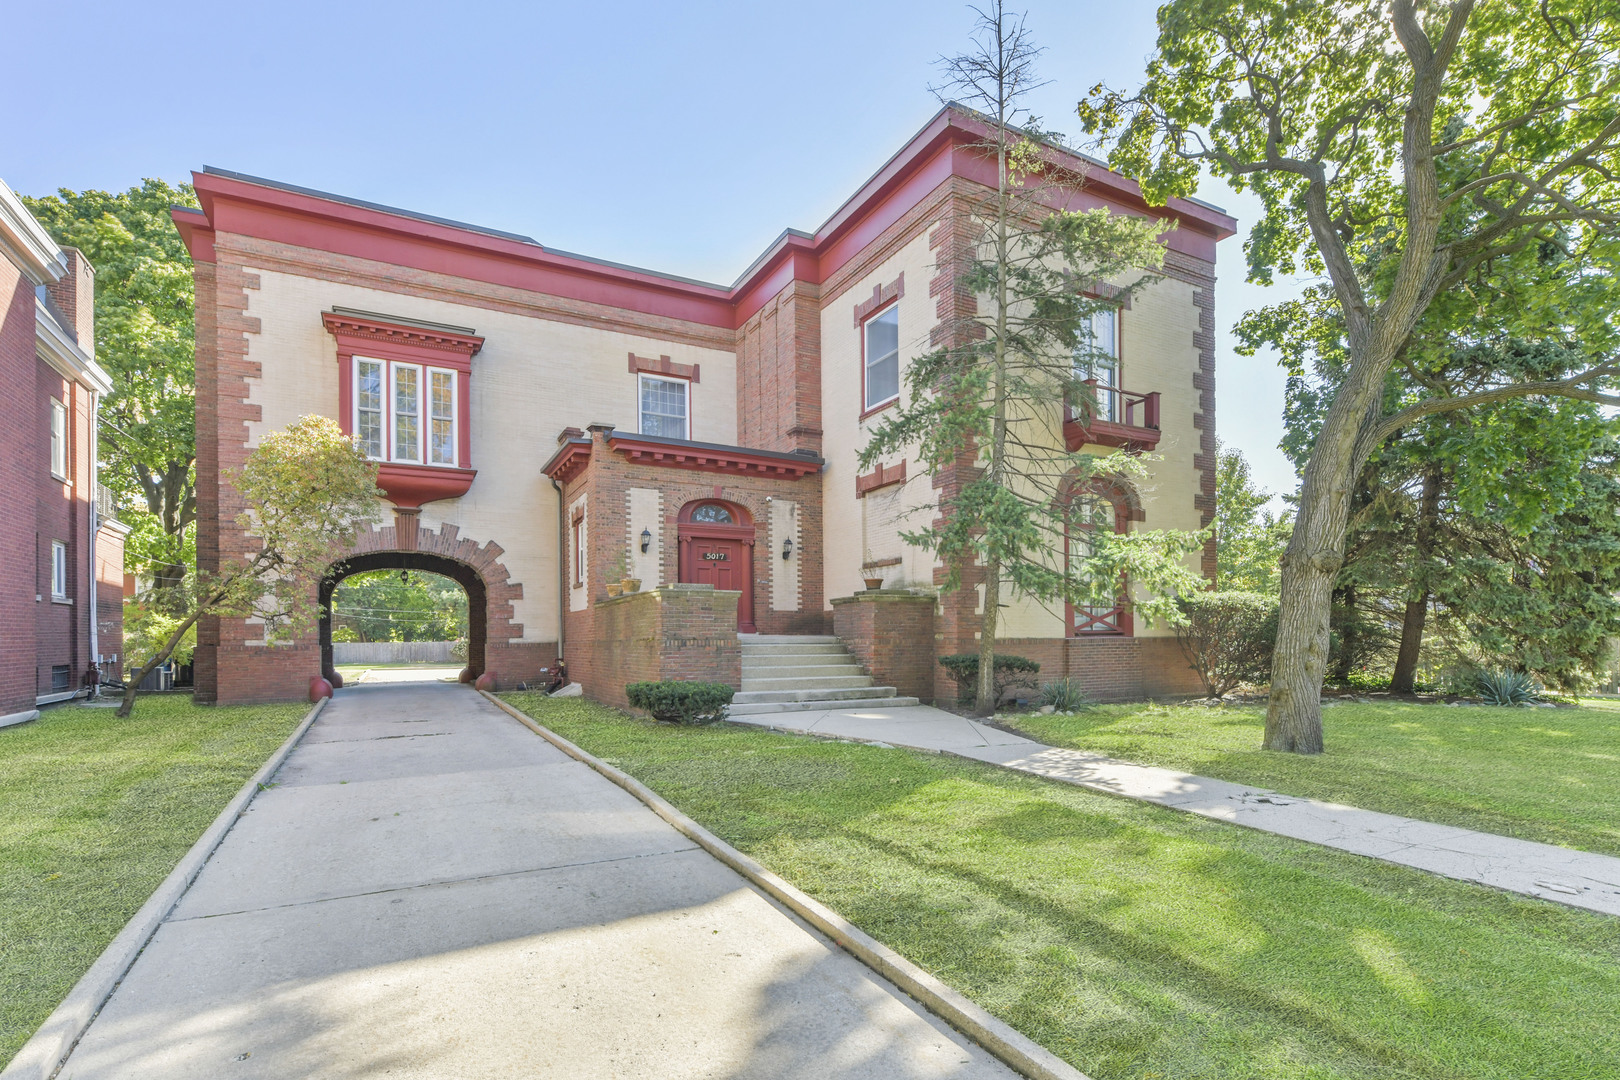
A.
pixel 430 890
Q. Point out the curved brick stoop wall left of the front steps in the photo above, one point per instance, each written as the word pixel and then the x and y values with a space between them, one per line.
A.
pixel 681 632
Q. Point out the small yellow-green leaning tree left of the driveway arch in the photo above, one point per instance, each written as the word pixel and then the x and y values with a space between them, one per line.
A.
pixel 309 490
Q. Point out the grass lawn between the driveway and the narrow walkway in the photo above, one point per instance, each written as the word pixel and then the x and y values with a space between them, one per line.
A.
pixel 1136 942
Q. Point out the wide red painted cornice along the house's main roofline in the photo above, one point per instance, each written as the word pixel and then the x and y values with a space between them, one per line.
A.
pixel 942 150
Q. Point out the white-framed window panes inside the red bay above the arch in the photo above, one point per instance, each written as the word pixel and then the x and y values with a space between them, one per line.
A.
pixel 406 412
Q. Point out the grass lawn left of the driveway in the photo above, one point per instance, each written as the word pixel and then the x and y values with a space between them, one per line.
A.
pixel 95 812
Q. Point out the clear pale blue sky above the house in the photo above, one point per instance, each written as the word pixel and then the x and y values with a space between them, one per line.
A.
pixel 680 137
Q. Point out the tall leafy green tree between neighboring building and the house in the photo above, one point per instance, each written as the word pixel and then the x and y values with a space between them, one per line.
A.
pixel 145 341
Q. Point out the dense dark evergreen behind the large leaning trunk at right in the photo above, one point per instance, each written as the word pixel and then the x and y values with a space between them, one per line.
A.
pixel 1496 524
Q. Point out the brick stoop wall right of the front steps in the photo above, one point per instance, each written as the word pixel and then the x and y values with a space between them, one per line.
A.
pixel 890 632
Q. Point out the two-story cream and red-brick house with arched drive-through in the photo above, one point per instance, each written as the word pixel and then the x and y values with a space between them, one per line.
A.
pixel 550 423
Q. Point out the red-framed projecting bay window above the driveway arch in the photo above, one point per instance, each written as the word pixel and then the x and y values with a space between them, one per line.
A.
pixel 404 396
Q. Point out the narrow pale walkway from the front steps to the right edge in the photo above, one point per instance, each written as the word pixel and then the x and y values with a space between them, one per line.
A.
pixel 1538 870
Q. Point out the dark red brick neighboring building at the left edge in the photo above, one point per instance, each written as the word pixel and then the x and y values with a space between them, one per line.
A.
pixel 61 563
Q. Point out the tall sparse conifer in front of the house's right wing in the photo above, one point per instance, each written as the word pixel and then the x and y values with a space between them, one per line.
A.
pixel 995 394
